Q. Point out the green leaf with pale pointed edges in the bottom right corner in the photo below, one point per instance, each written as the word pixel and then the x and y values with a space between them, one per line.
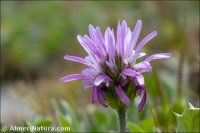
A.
pixel 188 121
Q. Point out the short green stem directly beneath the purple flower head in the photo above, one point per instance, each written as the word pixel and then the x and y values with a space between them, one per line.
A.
pixel 122 119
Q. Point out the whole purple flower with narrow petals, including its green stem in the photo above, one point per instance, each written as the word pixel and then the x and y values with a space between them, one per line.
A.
pixel 113 73
